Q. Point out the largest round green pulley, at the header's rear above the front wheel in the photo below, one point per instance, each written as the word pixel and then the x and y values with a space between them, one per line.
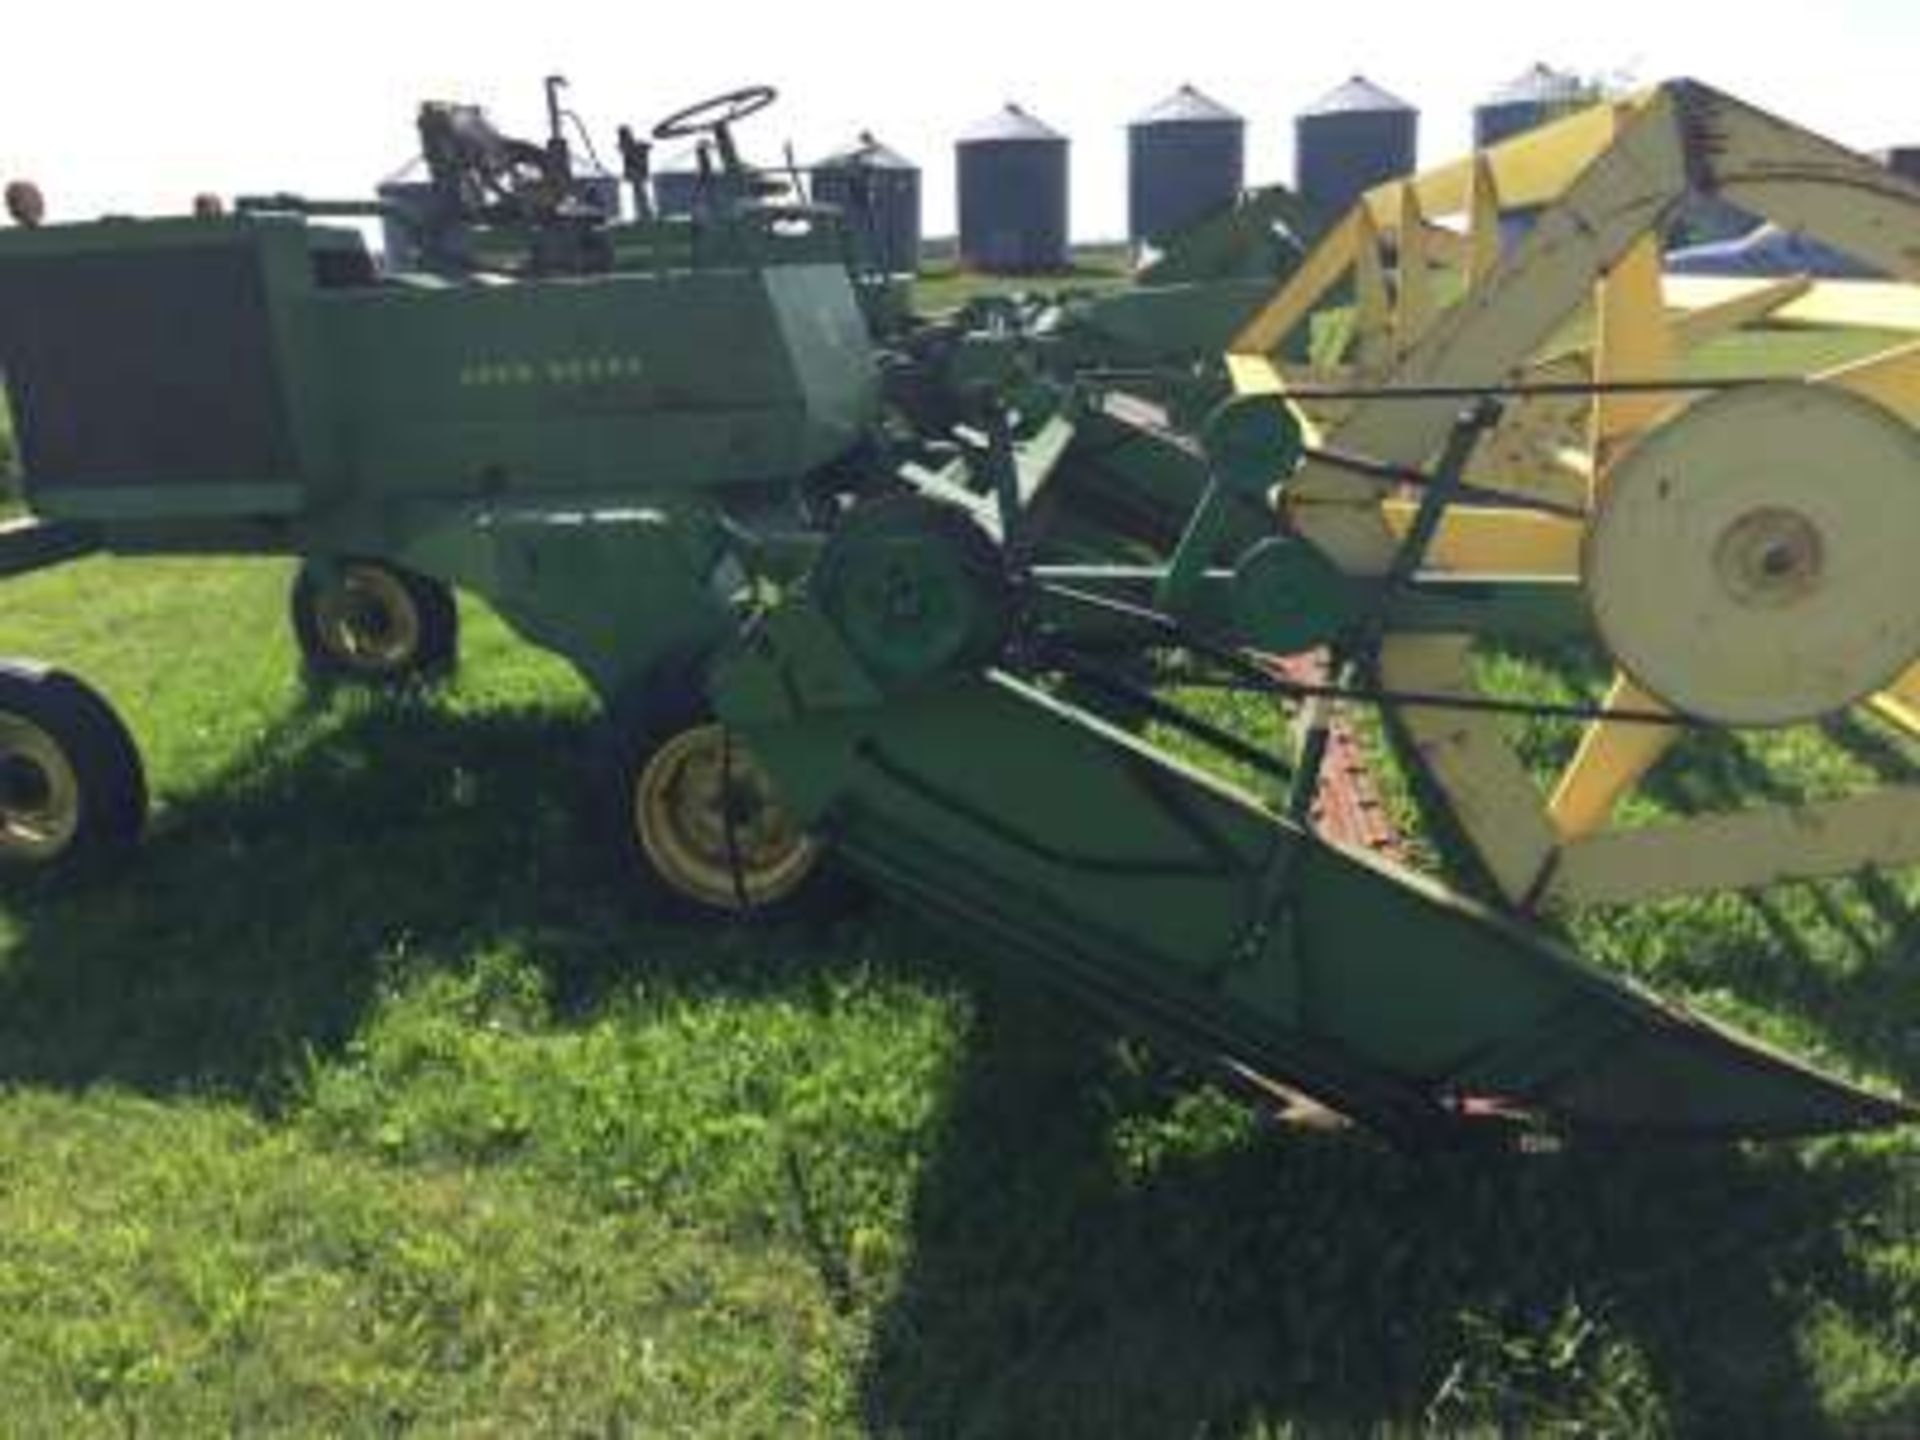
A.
pixel 915 588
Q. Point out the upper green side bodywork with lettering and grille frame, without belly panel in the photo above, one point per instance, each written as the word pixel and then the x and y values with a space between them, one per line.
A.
pixel 621 383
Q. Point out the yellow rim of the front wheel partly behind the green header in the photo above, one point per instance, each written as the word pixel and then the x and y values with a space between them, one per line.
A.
pixel 683 804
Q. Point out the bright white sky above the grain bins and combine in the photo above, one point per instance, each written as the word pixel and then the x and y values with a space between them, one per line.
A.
pixel 135 108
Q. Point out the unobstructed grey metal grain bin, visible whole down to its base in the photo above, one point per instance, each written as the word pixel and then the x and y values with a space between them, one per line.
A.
pixel 1013 195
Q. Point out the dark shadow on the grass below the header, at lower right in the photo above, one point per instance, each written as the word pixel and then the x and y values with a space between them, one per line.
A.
pixel 1320 1280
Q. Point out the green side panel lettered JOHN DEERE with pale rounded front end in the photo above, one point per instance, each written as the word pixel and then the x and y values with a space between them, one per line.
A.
pixel 592 385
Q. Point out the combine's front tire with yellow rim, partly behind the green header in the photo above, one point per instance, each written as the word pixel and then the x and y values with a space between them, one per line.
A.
pixel 694 823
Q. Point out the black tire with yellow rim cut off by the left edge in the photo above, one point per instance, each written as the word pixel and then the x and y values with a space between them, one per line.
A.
pixel 72 786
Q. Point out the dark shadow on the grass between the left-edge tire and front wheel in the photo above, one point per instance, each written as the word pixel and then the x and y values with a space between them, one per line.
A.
pixel 354 842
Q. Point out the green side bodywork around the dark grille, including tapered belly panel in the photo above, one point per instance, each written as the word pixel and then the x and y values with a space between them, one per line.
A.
pixel 546 446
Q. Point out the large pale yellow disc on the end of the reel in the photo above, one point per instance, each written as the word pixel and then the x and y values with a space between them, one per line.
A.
pixel 1752 562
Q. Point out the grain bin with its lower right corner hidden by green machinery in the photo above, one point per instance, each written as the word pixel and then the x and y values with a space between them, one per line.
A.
pixel 1186 160
